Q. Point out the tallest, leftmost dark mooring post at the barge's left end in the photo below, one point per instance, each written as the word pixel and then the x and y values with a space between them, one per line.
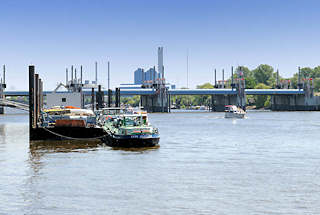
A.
pixel 31 101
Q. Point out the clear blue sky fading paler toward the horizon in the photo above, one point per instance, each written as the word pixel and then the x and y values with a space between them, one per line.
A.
pixel 56 34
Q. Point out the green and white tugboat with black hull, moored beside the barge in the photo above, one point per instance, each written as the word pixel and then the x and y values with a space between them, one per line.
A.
pixel 130 129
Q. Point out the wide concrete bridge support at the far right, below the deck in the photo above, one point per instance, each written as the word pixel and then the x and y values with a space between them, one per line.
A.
pixel 295 103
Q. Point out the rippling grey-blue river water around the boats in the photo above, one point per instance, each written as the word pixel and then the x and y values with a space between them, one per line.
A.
pixel 268 163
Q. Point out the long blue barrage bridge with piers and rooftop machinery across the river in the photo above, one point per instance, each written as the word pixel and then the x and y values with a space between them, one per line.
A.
pixel 156 97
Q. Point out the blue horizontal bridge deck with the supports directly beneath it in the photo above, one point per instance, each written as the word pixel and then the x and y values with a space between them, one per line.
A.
pixel 156 101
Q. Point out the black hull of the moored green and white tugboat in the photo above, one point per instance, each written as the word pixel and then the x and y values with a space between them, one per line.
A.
pixel 132 141
